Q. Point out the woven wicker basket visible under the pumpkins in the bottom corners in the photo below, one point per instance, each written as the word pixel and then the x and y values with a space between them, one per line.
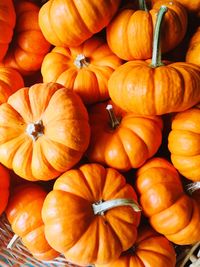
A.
pixel 187 256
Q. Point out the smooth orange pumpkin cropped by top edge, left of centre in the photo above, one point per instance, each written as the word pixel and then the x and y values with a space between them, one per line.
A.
pixel 70 22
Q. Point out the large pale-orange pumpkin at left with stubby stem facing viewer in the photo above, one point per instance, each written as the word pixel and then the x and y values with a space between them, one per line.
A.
pixel 44 131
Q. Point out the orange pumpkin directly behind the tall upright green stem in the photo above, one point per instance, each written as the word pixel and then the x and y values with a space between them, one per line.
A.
pixel 130 33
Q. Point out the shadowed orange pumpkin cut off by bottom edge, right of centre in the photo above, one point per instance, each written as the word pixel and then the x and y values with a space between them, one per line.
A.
pixel 150 249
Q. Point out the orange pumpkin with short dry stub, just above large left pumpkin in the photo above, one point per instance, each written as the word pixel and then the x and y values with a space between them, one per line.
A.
pixel 85 69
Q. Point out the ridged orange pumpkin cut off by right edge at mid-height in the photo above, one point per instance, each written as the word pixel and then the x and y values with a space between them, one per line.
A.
pixel 184 143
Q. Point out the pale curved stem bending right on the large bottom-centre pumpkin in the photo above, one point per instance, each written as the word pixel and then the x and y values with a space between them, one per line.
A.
pixel 100 207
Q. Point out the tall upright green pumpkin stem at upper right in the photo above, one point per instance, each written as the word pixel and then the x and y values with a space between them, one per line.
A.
pixel 156 54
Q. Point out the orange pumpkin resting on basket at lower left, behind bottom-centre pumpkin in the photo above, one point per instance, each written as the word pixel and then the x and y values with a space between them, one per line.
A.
pixel 24 215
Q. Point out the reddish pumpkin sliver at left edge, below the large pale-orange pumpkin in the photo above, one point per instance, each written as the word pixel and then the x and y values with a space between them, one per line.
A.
pixel 4 188
